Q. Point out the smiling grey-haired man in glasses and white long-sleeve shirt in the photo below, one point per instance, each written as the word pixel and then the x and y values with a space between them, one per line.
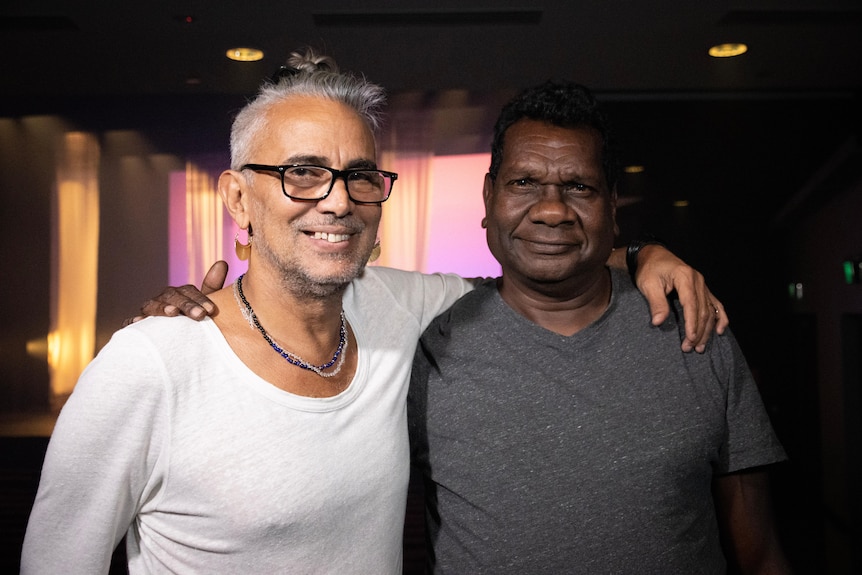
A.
pixel 271 437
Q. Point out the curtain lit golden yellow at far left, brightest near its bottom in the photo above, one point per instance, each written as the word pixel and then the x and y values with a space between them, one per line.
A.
pixel 75 250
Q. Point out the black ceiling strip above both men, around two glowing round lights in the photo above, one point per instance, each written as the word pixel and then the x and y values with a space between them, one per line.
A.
pixel 647 46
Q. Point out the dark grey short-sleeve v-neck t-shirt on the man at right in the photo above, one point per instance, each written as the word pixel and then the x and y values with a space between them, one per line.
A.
pixel 592 454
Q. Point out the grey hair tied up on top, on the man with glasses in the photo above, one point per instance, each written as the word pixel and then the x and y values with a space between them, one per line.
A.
pixel 306 74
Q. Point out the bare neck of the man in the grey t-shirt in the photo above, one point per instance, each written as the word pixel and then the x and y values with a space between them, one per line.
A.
pixel 564 307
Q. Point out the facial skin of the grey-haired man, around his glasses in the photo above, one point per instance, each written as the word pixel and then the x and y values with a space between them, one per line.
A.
pixel 281 243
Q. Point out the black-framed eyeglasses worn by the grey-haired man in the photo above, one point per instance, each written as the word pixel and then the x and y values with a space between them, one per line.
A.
pixel 311 183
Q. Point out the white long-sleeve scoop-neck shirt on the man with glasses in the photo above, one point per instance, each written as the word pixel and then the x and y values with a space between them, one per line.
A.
pixel 170 439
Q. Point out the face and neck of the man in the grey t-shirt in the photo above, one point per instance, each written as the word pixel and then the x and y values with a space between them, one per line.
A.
pixel 551 223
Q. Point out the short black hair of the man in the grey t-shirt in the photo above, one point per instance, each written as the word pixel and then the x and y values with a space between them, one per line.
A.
pixel 563 104
